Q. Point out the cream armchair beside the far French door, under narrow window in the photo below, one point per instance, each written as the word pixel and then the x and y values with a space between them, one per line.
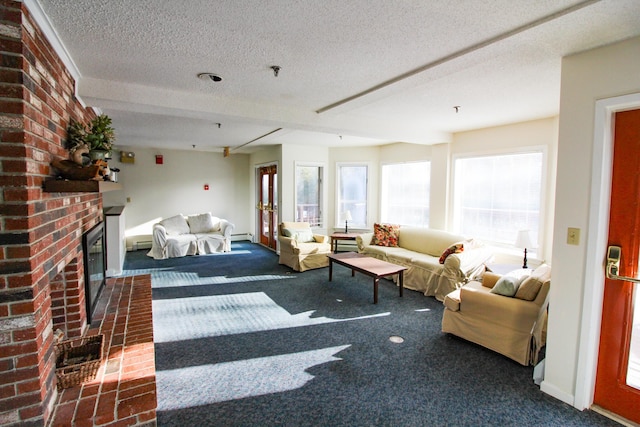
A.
pixel 300 249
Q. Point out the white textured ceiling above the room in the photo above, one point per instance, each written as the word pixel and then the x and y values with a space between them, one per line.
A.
pixel 353 72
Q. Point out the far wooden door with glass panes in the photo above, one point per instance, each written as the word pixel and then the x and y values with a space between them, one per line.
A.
pixel 268 205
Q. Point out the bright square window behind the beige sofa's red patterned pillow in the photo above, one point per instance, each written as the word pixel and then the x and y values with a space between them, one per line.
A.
pixel 405 193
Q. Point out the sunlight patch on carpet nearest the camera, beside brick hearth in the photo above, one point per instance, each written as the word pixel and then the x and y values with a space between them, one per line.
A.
pixel 207 384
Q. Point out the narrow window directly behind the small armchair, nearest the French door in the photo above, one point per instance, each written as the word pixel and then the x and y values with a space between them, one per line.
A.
pixel 309 194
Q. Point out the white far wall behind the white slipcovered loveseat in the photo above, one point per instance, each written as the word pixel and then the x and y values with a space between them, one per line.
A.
pixel 177 186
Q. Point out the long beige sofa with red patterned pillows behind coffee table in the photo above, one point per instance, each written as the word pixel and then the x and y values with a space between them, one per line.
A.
pixel 419 249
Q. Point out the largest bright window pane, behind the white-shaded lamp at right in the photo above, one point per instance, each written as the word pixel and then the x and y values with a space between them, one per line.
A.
pixel 495 196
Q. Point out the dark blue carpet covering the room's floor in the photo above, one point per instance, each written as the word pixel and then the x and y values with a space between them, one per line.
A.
pixel 243 341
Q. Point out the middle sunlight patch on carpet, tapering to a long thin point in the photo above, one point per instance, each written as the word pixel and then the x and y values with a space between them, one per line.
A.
pixel 216 315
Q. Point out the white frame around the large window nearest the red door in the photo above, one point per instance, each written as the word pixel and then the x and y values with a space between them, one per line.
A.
pixel 540 149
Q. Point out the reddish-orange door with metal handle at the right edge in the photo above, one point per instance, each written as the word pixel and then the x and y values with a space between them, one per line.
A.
pixel 617 386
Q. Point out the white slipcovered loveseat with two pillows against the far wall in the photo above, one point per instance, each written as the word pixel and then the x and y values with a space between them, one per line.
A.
pixel 181 235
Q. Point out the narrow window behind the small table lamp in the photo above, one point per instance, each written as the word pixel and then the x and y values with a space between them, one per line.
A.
pixel 352 193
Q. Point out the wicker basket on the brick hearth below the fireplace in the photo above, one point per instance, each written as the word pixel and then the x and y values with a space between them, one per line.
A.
pixel 78 360
